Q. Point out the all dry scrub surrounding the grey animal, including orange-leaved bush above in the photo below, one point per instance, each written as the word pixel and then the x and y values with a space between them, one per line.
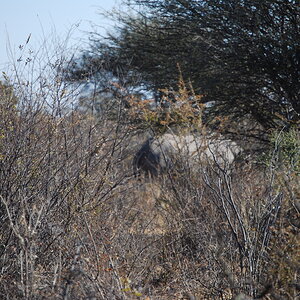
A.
pixel 77 224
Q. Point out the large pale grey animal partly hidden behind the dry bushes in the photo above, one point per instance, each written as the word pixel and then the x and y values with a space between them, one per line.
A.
pixel 160 155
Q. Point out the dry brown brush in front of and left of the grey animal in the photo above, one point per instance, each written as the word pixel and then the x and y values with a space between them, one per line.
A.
pixel 76 224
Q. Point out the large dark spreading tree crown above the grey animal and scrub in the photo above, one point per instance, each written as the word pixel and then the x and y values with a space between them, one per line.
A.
pixel 243 55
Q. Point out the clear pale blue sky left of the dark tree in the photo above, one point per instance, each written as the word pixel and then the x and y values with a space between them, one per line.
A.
pixel 39 18
